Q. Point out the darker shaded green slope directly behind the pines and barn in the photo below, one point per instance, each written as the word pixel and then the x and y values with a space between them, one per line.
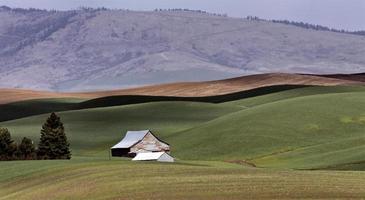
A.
pixel 95 130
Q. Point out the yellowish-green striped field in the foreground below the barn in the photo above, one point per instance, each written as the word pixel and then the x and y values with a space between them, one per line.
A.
pixel 97 179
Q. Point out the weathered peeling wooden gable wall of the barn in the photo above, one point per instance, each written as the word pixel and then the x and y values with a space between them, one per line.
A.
pixel 150 143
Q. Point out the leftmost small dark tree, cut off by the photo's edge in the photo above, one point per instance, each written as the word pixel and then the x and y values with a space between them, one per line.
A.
pixel 7 145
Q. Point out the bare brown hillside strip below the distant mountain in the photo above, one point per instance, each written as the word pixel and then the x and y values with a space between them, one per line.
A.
pixel 209 88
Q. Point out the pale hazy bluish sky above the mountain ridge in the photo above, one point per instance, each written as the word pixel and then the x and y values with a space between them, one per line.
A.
pixel 341 14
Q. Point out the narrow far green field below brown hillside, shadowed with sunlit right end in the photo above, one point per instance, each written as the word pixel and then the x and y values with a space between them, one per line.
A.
pixel 248 98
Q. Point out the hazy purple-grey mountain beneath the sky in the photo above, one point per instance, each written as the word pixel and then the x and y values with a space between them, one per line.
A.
pixel 96 49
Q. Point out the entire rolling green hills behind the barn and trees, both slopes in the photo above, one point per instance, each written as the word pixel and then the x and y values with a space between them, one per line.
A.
pixel 307 129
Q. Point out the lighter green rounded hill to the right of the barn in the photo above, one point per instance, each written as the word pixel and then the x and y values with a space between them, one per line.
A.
pixel 306 132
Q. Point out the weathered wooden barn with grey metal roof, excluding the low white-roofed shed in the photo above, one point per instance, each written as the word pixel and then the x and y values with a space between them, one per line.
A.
pixel 135 142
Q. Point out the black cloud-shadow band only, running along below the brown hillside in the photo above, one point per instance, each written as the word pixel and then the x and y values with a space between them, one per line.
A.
pixel 28 108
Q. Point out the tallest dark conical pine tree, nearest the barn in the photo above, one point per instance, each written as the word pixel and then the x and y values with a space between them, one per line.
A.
pixel 53 143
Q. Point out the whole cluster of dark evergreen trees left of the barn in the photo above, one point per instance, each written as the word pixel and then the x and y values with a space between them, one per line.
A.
pixel 53 143
